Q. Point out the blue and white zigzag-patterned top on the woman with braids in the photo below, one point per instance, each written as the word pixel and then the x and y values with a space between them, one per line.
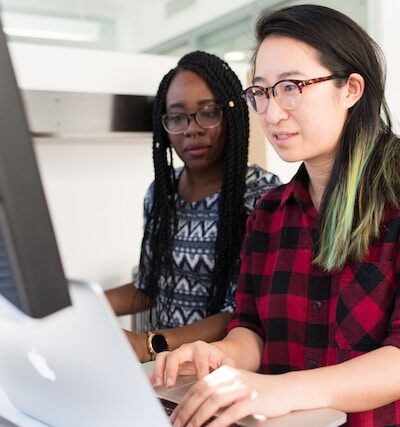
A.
pixel 193 253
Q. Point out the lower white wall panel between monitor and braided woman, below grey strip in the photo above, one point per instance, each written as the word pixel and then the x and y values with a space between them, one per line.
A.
pixel 95 191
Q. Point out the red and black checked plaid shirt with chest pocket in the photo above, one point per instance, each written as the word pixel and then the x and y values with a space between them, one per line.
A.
pixel 309 318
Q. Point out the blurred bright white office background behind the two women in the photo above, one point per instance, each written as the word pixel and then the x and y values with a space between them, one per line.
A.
pixel 88 71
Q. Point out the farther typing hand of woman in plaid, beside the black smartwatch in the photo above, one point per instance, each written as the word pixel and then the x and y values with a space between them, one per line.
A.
pixel 197 358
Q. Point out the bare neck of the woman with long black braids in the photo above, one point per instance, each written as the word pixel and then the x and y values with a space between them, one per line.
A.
pixel 195 185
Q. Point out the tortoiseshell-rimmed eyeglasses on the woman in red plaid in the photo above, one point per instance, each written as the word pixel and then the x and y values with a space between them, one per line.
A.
pixel 287 93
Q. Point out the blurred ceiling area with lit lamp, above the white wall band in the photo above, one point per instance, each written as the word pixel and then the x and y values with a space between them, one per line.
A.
pixel 167 27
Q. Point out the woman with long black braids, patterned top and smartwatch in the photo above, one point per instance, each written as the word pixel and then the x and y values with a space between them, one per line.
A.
pixel 194 215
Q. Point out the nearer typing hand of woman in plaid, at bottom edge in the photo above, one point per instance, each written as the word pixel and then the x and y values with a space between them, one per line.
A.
pixel 234 394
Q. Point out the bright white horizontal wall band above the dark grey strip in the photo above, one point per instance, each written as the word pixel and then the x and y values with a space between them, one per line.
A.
pixel 71 69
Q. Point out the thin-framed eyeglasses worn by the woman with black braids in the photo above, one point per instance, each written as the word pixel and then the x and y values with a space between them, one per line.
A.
pixel 207 117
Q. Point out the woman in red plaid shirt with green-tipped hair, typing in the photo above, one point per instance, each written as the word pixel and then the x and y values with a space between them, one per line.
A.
pixel 318 298
